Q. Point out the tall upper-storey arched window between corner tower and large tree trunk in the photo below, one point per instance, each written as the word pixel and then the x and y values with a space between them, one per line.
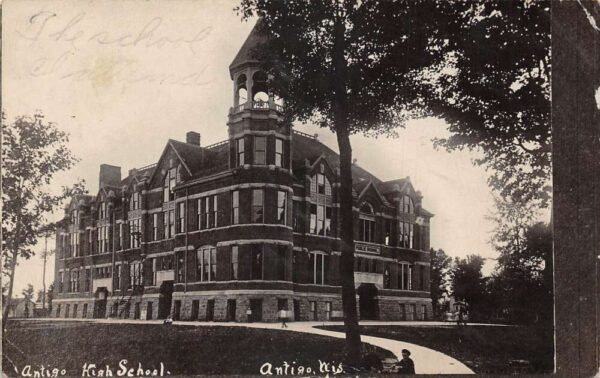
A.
pixel 321 207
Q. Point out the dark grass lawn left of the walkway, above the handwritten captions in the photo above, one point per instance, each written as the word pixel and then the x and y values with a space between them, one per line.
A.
pixel 184 350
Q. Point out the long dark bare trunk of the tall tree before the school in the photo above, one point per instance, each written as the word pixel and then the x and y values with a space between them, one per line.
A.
pixel 353 342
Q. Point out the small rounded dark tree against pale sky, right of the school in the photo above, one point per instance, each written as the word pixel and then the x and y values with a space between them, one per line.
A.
pixel 468 283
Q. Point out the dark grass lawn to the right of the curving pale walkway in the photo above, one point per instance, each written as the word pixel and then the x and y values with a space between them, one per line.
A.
pixel 485 349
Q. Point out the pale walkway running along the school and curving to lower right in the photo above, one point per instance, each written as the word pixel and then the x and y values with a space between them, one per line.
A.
pixel 427 361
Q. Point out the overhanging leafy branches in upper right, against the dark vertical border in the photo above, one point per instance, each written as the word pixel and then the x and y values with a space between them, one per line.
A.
pixel 494 93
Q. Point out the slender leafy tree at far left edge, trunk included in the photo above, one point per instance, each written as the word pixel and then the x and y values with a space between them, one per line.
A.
pixel 33 151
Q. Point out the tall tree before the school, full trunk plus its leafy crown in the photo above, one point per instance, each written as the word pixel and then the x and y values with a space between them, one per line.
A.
pixel 350 67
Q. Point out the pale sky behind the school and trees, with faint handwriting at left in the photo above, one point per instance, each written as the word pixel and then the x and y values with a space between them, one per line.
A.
pixel 123 77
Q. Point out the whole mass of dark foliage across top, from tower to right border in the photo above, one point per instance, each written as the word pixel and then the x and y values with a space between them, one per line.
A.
pixel 484 67
